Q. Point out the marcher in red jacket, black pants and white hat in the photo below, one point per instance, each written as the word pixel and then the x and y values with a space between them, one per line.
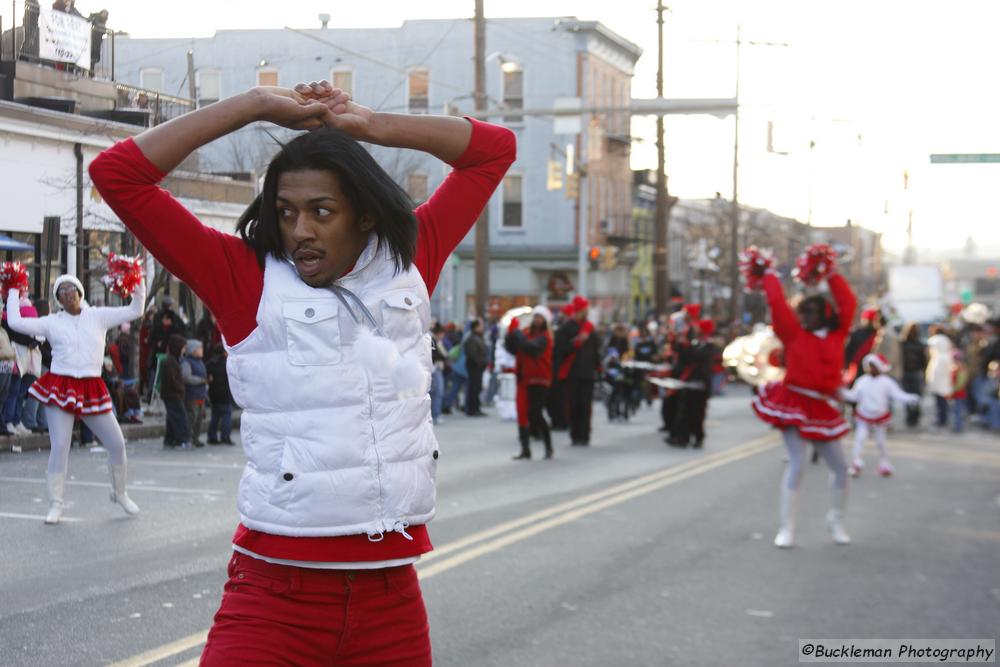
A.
pixel 532 348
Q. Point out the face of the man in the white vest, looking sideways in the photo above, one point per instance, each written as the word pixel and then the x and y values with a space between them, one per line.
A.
pixel 319 228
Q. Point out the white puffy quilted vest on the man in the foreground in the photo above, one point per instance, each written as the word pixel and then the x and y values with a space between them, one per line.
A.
pixel 331 449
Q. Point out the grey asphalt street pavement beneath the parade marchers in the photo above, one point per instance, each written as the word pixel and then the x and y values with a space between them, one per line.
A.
pixel 627 552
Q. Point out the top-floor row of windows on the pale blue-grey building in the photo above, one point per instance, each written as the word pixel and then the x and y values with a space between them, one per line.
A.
pixel 208 84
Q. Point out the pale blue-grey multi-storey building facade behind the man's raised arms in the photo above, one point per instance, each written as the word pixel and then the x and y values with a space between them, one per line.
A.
pixel 426 67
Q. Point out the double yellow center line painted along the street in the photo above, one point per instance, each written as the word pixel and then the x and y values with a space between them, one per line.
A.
pixel 536 523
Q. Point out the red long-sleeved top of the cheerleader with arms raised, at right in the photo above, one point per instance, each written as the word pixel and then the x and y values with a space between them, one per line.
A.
pixel 811 361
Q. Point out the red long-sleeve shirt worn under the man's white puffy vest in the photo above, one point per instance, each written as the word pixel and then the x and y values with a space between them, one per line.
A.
pixel 224 273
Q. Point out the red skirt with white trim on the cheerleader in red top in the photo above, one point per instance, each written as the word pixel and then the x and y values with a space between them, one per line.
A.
pixel 815 419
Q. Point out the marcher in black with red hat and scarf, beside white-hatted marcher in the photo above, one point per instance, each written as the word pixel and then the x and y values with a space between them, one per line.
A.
pixel 580 358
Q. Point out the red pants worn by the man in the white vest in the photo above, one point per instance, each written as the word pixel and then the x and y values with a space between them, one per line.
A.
pixel 283 615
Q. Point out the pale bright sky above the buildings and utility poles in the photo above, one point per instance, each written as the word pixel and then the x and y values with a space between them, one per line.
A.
pixel 875 86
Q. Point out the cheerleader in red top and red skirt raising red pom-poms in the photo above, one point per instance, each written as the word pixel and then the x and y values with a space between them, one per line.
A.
pixel 805 405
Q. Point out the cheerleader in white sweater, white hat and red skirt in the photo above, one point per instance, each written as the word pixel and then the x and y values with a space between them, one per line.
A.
pixel 73 388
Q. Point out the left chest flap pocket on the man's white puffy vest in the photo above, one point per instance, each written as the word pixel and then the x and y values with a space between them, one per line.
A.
pixel 313 332
